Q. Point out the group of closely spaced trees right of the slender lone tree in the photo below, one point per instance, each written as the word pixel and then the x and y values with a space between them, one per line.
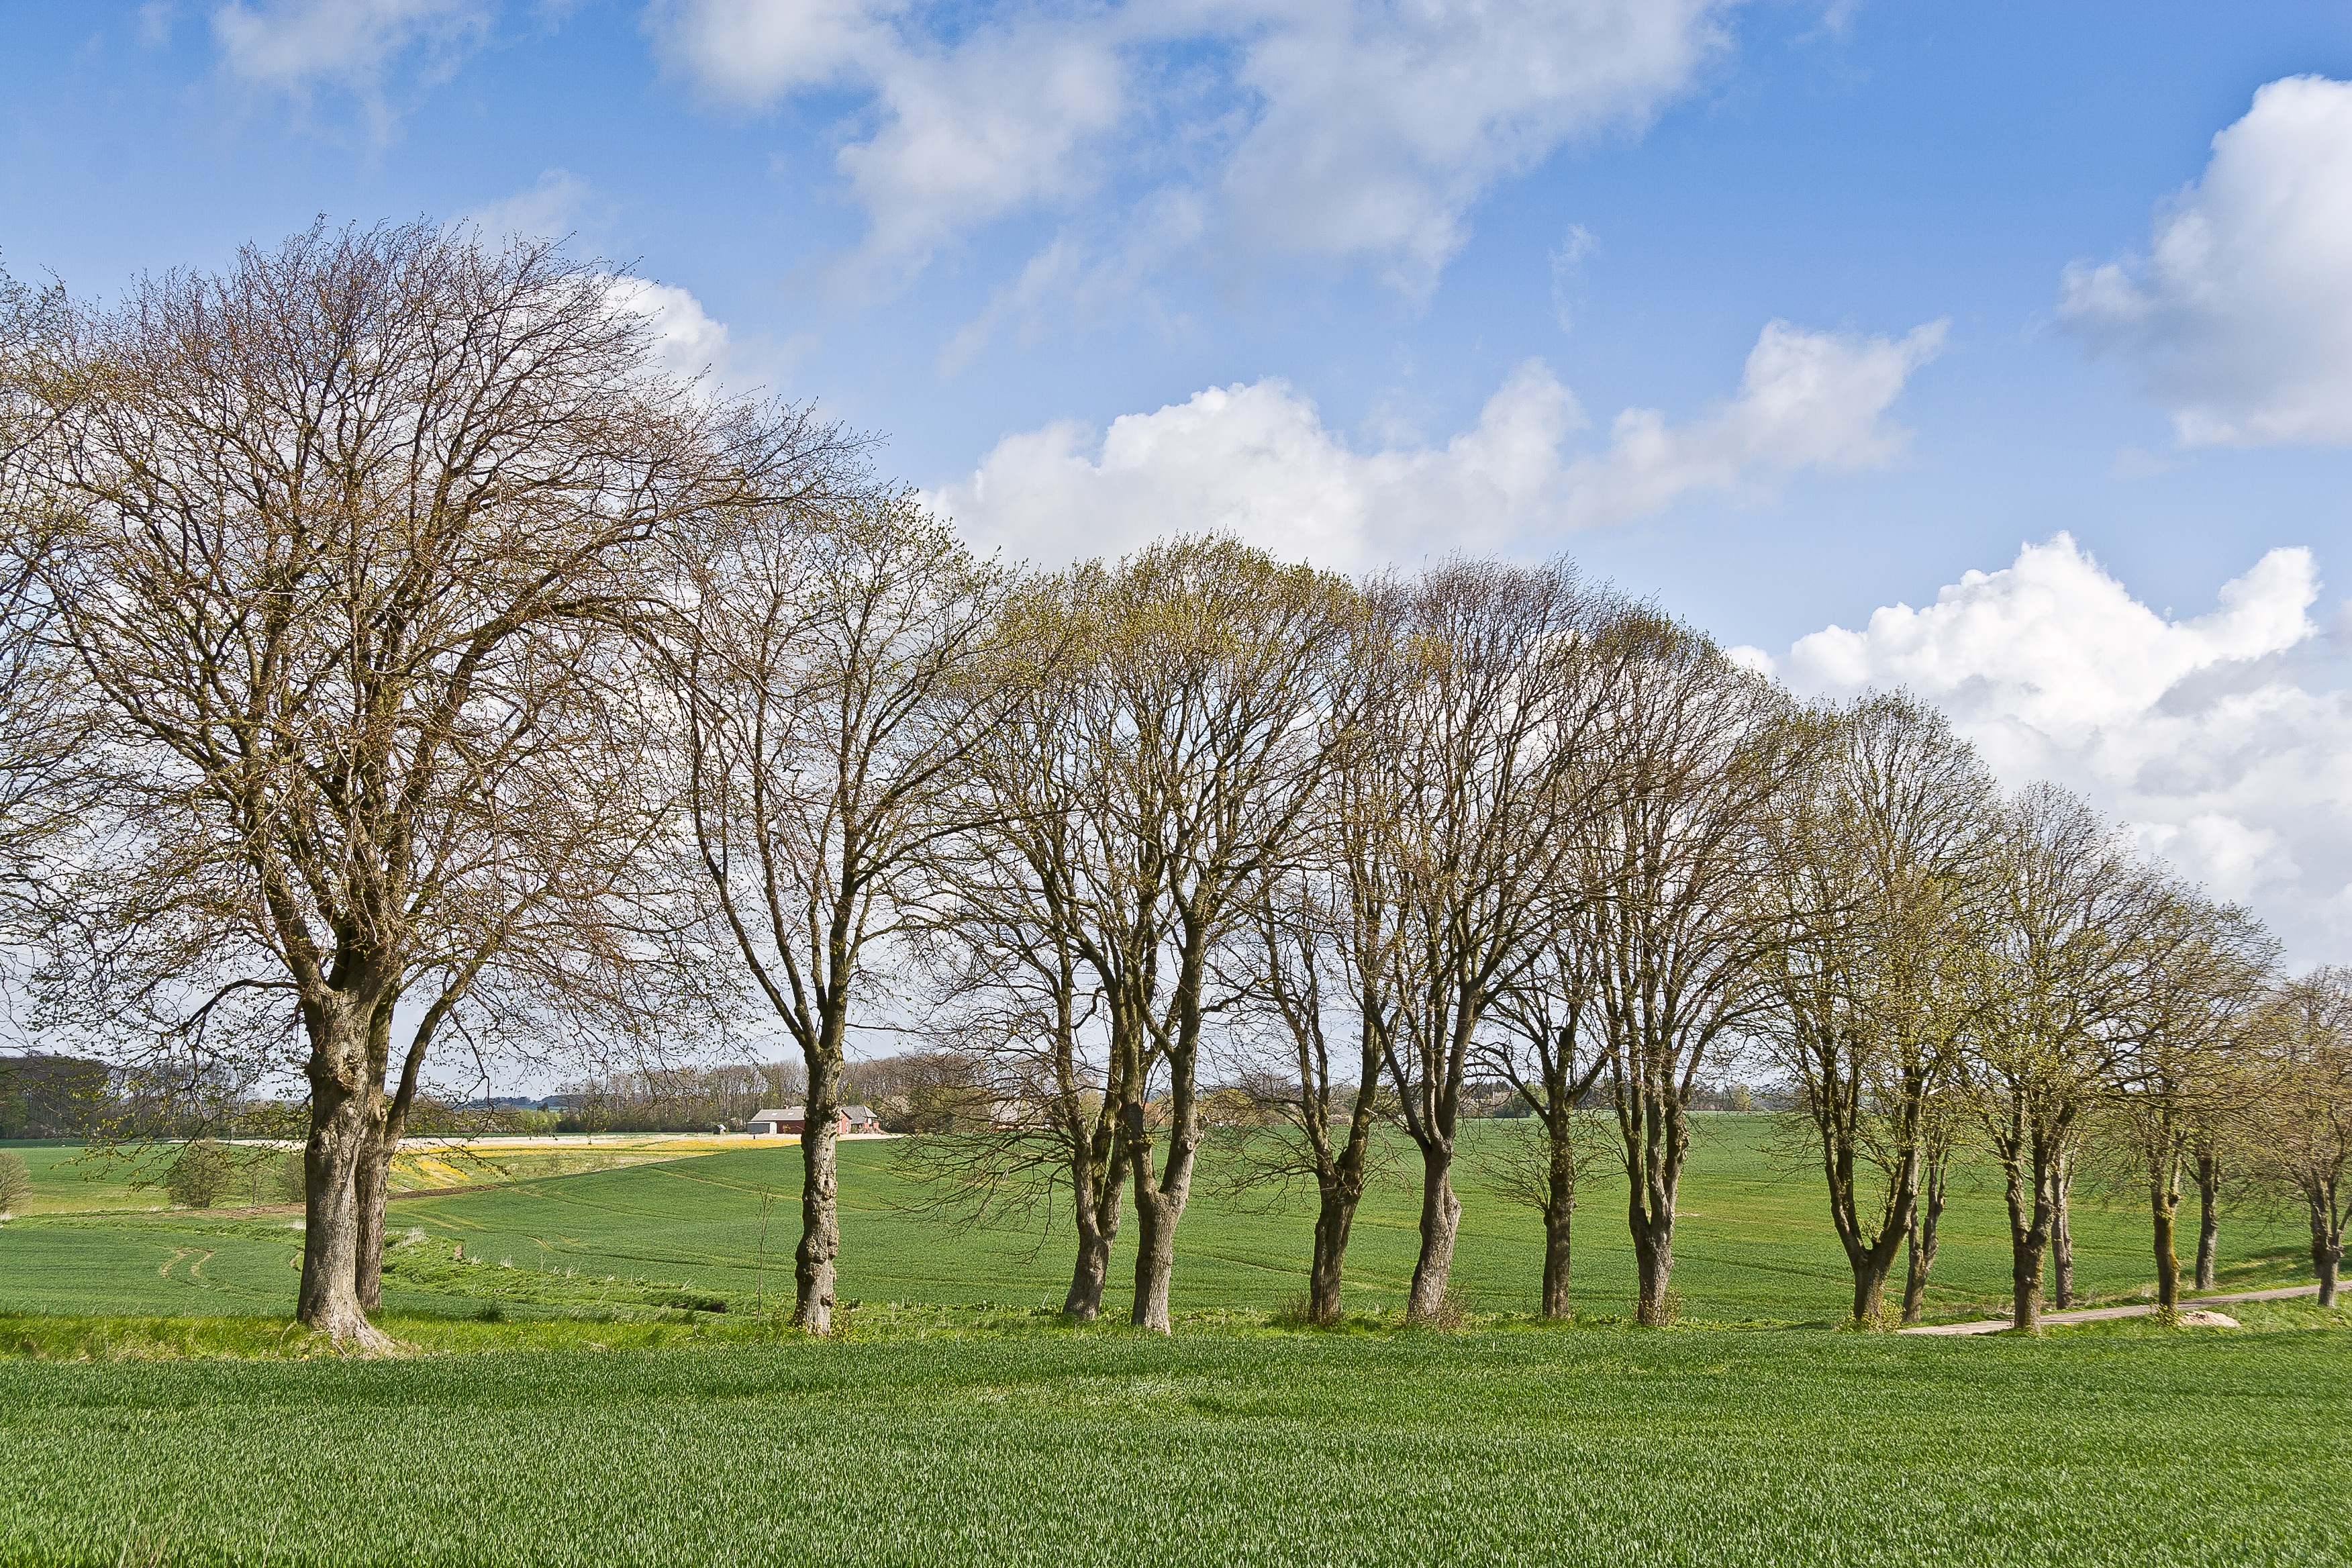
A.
pixel 1532 831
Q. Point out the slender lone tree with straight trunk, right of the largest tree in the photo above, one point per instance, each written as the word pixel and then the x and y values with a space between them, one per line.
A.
pixel 836 669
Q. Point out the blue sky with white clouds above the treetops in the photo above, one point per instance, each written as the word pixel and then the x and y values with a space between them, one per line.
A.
pixel 1791 316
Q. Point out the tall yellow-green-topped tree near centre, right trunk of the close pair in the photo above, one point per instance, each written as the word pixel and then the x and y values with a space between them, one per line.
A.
pixel 1205 681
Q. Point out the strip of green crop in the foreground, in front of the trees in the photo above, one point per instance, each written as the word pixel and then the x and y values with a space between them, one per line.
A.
pixel 1535 1447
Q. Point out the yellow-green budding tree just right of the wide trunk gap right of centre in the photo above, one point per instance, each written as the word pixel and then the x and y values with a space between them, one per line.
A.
pixel 1878 864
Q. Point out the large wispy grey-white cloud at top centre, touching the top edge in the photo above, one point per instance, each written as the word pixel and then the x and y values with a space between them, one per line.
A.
pixel 1307 126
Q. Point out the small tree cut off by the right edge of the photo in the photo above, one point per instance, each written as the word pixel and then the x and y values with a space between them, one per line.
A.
pixel 2301 1130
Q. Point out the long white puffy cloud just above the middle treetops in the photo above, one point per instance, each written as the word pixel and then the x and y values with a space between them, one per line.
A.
pixel 1259 462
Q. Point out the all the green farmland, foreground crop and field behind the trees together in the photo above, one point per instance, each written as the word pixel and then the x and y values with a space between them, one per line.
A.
pixel 594 1383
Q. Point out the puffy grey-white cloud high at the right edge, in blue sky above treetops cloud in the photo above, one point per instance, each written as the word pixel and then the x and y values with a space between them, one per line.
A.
pixel 2240 319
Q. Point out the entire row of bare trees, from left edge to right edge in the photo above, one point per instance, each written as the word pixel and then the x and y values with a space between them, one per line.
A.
pixel 399 664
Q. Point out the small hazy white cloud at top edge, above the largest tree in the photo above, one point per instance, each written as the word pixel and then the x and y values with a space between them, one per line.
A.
pixel 347 43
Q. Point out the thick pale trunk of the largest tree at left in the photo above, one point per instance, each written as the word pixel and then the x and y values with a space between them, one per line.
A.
pixel 333 1158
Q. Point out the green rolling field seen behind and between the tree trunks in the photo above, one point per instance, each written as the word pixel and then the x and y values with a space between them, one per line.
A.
pixel 1753 1245
